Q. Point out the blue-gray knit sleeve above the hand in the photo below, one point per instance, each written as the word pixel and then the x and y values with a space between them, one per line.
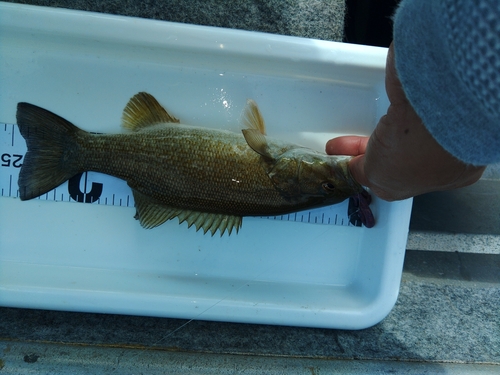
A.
pixel 448 60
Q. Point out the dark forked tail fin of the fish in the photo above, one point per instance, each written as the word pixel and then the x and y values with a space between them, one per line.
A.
pixel 53 144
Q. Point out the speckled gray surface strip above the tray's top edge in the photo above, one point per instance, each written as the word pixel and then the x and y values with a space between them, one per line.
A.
pixel 311 19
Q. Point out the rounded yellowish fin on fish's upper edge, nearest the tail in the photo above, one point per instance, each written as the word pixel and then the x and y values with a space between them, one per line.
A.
pixel 143 110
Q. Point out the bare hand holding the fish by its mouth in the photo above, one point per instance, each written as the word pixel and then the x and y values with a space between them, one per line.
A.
pixel 401 159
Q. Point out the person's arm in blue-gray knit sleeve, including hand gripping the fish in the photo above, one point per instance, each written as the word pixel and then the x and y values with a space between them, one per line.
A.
pixel 443 71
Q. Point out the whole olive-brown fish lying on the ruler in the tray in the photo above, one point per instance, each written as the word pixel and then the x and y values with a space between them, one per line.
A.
pixel 206 177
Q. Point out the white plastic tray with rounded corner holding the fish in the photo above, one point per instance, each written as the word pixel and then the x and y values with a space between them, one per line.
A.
pixel 85 257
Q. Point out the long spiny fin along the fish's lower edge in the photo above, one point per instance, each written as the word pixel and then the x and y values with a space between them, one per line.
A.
pixel 152 213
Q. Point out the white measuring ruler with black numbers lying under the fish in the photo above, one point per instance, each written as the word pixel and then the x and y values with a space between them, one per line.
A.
pixel 98 188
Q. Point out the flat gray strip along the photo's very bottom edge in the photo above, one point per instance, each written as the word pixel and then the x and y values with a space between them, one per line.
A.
pixel 88 360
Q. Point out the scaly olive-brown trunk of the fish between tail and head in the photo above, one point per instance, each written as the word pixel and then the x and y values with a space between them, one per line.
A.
pixel 188 167
